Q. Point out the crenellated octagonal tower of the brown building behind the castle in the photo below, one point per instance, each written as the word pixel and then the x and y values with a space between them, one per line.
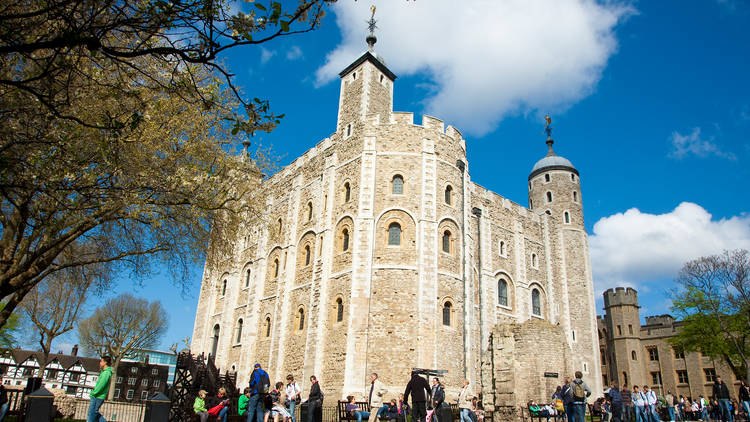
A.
pixel 623 325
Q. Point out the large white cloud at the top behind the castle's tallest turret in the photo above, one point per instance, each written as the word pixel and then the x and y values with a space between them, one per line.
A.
pixel 486 58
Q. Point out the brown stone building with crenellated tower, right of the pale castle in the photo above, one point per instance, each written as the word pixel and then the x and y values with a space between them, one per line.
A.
pixel 638 354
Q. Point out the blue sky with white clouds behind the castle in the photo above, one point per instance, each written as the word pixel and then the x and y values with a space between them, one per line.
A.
pixel 649 100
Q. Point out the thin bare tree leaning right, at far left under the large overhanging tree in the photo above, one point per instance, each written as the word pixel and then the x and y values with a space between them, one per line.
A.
pixel 54 305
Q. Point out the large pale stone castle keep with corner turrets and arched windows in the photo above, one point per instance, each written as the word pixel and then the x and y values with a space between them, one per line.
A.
pixel 382 255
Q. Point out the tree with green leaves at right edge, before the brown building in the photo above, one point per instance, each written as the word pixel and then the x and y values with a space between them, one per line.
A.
pixel 713 301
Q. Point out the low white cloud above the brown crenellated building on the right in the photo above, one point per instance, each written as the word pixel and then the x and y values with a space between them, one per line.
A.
pixel 632 247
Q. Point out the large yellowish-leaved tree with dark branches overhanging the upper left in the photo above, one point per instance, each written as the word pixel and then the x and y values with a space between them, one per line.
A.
pixel 120 133
